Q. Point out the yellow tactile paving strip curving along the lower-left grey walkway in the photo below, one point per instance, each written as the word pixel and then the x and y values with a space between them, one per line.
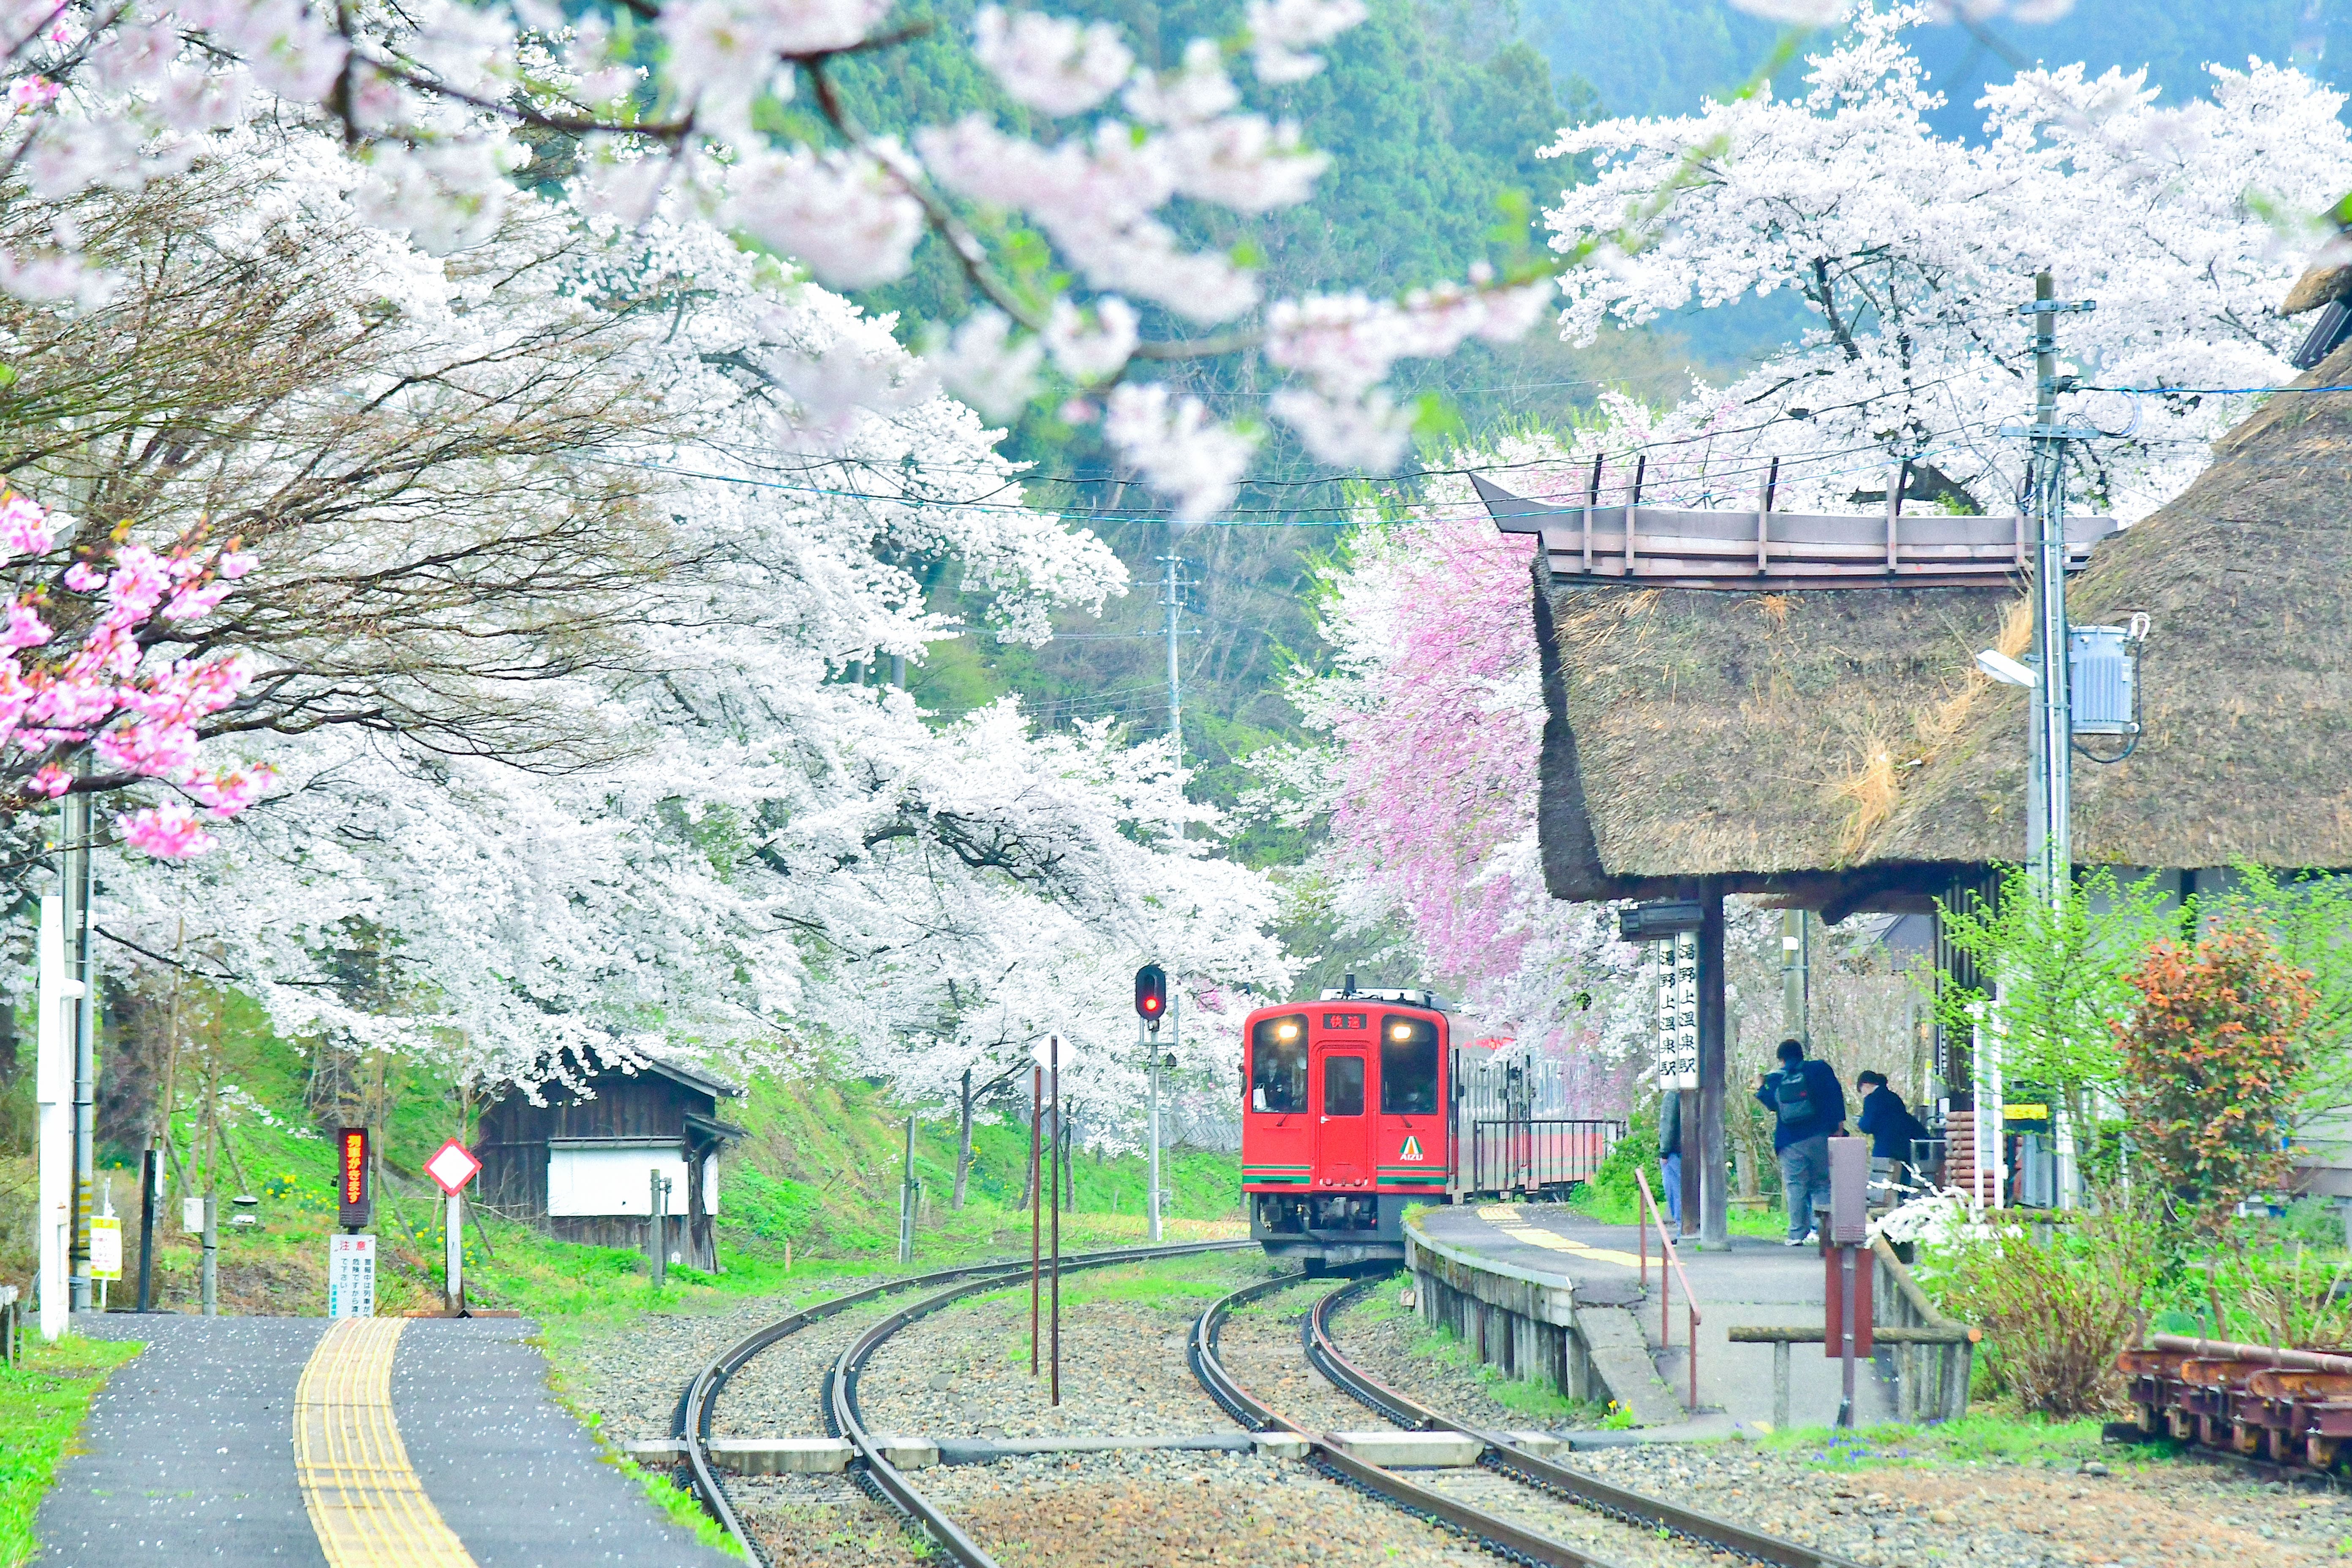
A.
pixel 366 1501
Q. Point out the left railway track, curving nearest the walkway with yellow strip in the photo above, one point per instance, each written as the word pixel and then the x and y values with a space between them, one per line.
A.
pixel 841 1391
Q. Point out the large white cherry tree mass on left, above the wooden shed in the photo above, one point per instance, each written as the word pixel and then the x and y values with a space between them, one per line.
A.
pixel 707 838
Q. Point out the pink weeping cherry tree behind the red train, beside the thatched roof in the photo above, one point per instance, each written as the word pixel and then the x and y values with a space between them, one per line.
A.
pixel 1426 777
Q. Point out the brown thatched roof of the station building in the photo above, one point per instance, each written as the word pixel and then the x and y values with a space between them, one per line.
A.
pixel 1840 746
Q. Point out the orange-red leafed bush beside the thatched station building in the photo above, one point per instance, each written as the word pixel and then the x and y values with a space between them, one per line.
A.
pixel 2210 1066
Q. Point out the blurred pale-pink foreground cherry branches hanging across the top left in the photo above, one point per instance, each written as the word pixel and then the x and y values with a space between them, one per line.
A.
pixel 667 109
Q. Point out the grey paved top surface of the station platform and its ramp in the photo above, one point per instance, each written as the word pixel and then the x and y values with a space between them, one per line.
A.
pixel 1751 1285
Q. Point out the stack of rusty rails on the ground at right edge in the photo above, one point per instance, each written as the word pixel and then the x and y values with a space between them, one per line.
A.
pixel 2287 1407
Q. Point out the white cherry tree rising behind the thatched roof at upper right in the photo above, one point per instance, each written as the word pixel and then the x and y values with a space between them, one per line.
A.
pixel 1911 253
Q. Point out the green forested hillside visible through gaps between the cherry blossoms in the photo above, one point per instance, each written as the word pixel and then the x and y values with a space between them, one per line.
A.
pixel 1434 116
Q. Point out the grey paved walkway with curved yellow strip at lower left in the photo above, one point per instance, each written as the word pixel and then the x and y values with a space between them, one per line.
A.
pixel 415 1442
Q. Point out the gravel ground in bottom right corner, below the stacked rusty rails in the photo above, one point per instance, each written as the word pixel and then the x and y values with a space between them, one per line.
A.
pixel 2000 1515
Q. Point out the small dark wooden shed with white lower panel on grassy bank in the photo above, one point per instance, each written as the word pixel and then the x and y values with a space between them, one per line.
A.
pixel 582 1165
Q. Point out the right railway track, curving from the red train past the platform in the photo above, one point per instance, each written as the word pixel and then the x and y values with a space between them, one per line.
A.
pixel 1495 1532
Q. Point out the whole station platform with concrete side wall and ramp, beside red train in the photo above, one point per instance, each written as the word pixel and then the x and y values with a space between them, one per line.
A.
pixel 1514 1275
